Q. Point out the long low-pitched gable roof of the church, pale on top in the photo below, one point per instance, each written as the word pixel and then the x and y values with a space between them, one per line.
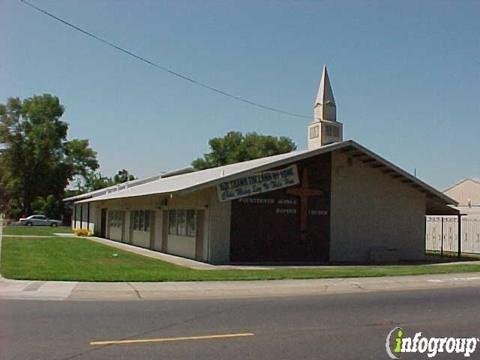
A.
pixel 197 180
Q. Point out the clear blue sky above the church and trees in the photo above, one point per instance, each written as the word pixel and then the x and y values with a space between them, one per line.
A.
pixel 406 75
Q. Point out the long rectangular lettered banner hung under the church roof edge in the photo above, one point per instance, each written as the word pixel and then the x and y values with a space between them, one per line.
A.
pixel 258 183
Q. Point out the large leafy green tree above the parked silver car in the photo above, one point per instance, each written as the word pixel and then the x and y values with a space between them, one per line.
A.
pixel 36 160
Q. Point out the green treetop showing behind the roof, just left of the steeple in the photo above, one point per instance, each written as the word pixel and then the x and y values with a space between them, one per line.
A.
pixel 235 147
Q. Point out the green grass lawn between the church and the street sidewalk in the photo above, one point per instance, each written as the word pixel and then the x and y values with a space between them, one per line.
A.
pixel 80 259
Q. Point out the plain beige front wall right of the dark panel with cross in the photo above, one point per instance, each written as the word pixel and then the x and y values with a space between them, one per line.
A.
pixel 371 209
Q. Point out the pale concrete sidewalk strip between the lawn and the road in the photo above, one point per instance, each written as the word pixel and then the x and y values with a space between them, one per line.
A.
pixel 57 290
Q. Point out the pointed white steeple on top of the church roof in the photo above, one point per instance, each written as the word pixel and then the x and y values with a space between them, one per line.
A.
pixel 325 129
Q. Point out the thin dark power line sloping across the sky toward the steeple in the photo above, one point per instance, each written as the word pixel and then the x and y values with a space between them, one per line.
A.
pixel 161 67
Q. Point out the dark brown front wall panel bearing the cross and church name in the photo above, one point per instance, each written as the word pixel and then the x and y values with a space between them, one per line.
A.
pixel 286 225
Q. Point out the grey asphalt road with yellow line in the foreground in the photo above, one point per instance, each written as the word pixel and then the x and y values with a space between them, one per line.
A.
pixel 347 326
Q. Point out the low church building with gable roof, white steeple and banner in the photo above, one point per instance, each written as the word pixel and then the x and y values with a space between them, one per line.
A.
pixel 336 202
